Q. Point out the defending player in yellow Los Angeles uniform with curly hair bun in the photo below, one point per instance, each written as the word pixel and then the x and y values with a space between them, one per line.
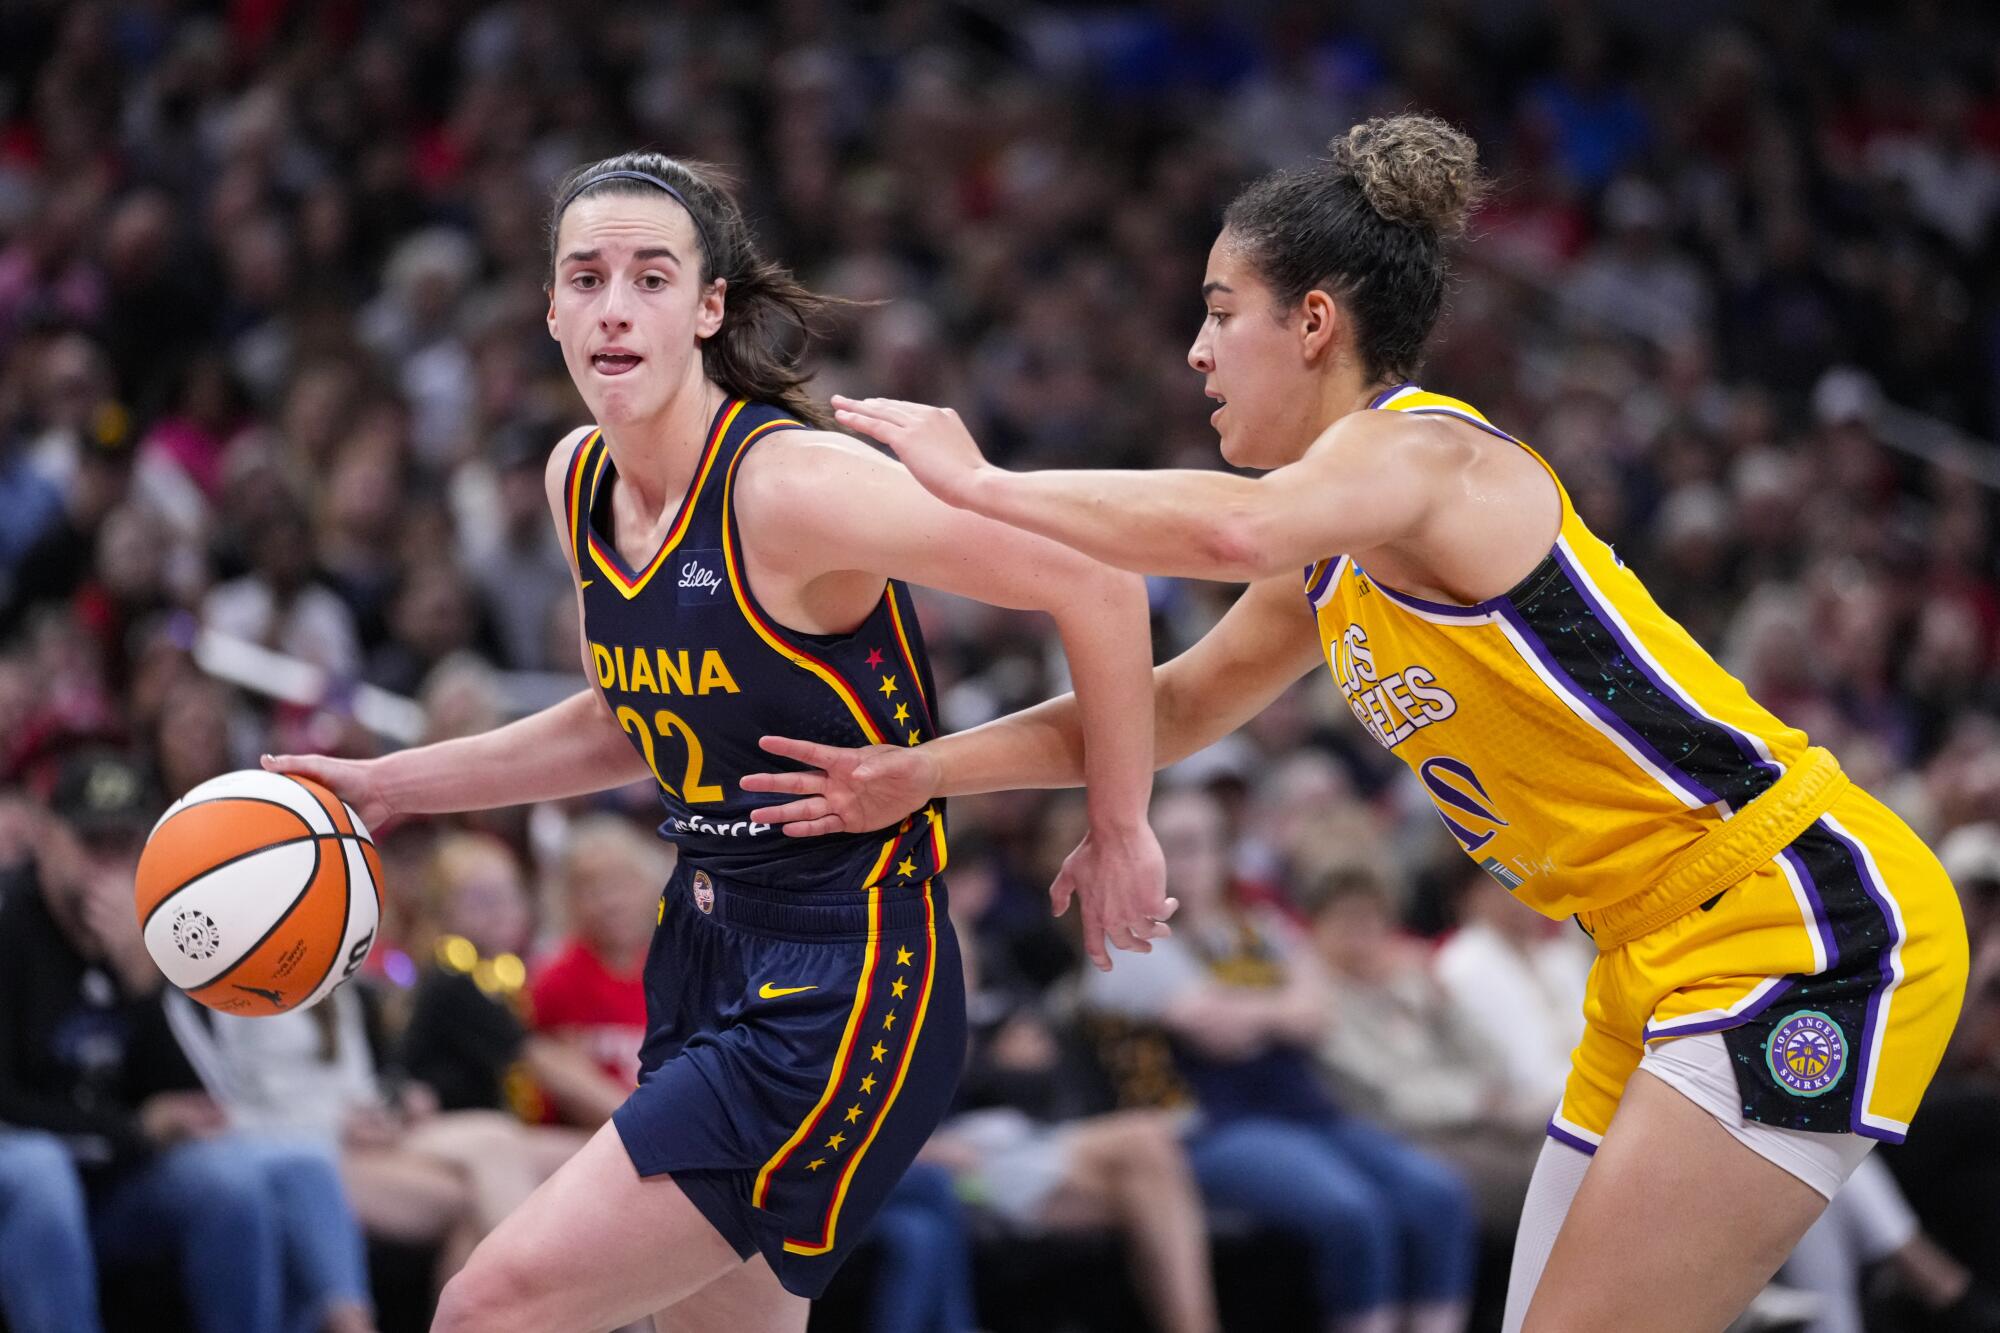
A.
pixel 1781 960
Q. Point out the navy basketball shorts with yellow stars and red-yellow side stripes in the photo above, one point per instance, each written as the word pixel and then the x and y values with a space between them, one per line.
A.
pixel 799 1052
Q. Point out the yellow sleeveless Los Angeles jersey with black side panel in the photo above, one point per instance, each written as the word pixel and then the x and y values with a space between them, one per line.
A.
pixel 1575 740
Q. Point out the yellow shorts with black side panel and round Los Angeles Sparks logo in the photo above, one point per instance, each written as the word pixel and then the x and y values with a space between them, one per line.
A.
pixel 1835 974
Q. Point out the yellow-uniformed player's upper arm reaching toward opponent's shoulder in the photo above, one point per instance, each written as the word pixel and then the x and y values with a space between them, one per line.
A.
pixel 1349 493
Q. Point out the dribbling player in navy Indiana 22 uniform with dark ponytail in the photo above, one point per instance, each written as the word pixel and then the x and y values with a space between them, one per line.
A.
pixel 739 575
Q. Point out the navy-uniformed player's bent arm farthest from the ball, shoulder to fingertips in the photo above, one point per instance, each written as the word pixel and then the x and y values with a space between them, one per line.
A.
pixel 805 495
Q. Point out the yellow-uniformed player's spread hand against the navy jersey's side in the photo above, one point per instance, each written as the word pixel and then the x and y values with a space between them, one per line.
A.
pixel 845 790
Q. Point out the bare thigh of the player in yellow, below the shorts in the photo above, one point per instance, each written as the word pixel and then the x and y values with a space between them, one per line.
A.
pixel 1675 1228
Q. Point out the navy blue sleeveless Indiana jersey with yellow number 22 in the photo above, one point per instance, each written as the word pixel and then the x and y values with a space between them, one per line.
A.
pixel 697 674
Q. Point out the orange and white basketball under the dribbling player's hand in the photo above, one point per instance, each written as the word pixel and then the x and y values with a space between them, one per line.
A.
pixel 259 894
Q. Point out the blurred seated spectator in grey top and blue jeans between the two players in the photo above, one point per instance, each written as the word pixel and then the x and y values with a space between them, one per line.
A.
pixel 1245 1006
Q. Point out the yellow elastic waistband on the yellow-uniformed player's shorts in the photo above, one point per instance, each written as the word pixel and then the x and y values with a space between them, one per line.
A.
pixel 1725 854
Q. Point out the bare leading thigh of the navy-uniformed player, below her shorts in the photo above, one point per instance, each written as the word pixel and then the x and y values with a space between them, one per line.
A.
pixel 595 1246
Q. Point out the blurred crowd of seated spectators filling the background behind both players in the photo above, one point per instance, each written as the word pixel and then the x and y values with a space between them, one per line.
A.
pixel 273 371
